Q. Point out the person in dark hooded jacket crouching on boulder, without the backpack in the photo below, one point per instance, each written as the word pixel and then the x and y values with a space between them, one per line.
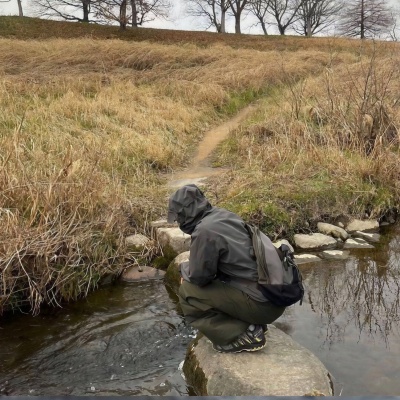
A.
pixel 219 293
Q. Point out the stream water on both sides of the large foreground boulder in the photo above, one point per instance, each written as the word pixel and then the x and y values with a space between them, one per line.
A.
pixel 130 339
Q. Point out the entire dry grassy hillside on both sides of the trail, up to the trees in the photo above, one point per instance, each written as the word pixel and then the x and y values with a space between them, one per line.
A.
pixel 90 124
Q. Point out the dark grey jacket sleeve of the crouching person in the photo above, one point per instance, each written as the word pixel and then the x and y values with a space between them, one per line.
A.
pixel 203 260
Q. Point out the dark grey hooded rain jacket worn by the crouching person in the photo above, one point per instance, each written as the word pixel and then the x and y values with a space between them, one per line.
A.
pixel 220 244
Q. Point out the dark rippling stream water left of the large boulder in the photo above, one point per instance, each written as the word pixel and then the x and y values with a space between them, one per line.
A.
pixel 124 340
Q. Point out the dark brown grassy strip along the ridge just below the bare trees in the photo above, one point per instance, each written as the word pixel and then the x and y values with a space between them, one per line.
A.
pixel 26 28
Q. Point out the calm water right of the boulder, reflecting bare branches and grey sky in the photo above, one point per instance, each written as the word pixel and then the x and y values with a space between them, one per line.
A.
pixel 350 319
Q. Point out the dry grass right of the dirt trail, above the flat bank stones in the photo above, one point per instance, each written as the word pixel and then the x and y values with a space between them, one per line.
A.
pixel 324 147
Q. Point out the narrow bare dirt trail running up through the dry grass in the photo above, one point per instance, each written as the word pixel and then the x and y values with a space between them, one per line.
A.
pixel 200 168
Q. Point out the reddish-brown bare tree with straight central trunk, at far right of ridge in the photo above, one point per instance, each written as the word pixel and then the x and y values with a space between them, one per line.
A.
pixel 366 18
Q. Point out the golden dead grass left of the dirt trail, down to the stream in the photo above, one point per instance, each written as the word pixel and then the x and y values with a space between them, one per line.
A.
pixel 88 128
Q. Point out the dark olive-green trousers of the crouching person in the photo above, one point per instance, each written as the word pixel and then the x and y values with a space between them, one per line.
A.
pixel 222 312
